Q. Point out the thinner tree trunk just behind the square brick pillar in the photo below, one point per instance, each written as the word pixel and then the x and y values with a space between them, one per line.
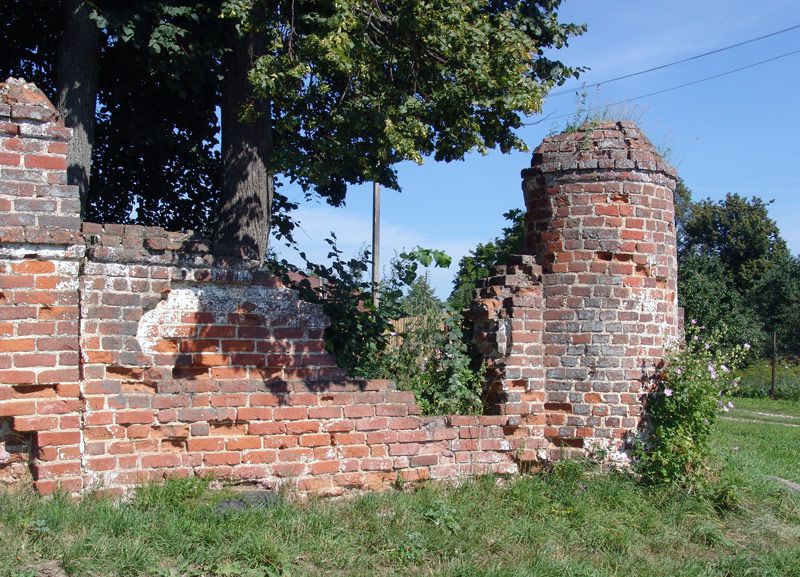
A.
pixel 78 72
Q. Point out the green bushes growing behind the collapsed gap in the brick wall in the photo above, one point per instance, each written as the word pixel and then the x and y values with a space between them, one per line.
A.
pixel 432 360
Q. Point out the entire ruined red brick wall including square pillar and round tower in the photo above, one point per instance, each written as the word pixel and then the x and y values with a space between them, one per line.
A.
pixel 131 353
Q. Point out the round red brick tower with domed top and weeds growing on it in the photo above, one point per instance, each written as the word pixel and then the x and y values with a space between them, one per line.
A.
pixel 601 222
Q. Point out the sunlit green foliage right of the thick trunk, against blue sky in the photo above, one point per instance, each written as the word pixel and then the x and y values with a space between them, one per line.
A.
pixel 348 89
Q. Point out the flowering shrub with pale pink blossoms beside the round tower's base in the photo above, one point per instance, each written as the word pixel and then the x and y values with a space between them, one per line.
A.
pixel 682 407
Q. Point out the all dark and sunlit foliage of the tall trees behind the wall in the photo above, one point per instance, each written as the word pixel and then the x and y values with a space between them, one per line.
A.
pixel 345 89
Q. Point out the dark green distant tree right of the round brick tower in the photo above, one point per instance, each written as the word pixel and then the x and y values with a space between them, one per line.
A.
pixel 735 268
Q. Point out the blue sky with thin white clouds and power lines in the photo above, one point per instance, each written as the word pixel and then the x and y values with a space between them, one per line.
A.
pixel 739 133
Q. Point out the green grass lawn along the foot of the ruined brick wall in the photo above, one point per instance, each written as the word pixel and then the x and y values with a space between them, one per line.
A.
pixel 572 521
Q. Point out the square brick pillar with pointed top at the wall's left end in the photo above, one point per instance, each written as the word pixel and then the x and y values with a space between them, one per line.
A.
pixel 40 251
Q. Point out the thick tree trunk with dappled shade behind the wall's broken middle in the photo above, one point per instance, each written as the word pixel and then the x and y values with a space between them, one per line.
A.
pixel 247 184
